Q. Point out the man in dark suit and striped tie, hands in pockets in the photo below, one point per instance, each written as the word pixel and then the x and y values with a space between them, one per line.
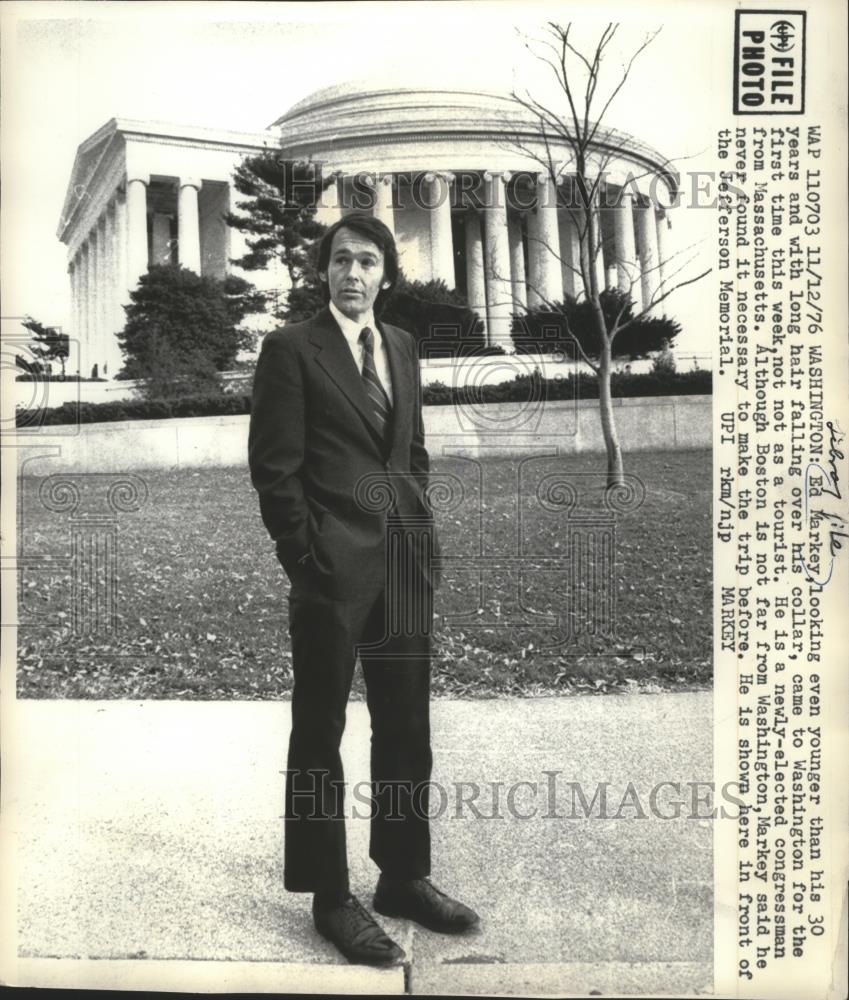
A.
pixel 337 456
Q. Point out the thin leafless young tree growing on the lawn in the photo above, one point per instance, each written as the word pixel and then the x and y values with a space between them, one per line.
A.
pixel 574 125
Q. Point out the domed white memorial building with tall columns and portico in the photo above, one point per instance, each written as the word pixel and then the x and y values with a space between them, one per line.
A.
pixel 457 175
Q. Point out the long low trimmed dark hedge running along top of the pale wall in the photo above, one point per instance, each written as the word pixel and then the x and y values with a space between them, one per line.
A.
pixel 519 389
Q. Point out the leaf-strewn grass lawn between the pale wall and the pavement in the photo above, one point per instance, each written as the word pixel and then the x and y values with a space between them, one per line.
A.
pixel 201 599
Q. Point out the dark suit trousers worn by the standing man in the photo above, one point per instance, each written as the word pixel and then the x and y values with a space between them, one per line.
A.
pixel 391 633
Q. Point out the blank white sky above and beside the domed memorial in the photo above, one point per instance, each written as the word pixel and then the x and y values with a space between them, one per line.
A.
pixel 67 68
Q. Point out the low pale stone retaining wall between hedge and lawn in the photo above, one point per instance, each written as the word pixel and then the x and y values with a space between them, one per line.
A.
pixel 644 424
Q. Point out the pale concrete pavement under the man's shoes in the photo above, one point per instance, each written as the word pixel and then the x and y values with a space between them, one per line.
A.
pixel 149 834
